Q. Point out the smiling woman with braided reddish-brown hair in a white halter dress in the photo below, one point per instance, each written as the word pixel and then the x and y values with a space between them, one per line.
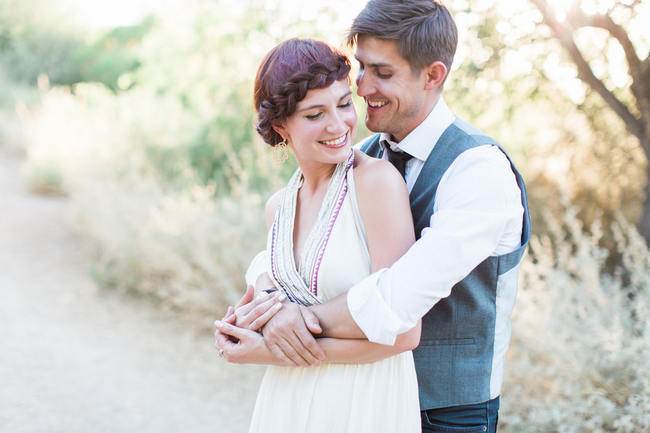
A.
pixel 342 216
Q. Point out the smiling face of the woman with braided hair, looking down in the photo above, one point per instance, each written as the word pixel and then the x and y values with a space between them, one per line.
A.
pixel 323 126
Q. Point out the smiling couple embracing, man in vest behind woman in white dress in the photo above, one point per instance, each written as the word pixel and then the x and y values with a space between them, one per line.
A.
pixel 384 295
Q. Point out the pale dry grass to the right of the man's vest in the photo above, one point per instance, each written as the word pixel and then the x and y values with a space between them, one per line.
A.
pixel 581 339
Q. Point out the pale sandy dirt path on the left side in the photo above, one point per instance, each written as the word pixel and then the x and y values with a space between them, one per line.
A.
pixel 74 358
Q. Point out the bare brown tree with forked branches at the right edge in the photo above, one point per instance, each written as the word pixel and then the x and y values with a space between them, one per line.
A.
pixel 635 113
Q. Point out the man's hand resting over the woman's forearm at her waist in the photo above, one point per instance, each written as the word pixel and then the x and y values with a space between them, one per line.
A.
pixel 288 335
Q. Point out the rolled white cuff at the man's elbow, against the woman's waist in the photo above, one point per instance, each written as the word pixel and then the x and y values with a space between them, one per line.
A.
pixel 370 311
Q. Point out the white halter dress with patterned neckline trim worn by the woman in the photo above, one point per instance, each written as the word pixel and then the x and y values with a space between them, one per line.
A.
pixel 374 397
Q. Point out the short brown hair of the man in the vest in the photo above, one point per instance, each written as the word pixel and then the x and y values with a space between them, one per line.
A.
pixel 423 30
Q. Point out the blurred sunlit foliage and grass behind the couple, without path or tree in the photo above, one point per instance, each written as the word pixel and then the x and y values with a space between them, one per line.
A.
pixel 148 127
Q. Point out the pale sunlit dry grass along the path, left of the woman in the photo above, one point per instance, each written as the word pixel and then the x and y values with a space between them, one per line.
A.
pixel 183 248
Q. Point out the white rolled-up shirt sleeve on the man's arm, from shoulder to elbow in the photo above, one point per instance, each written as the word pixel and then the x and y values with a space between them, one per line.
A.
pixel 478 213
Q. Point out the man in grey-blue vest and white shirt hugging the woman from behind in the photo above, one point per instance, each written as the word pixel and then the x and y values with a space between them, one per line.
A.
pixel 470 216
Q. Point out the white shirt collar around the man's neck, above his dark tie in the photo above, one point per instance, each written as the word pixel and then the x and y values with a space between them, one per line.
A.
pixel 420 142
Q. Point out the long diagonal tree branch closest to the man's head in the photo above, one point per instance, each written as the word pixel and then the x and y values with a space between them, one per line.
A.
pixel 564 35
